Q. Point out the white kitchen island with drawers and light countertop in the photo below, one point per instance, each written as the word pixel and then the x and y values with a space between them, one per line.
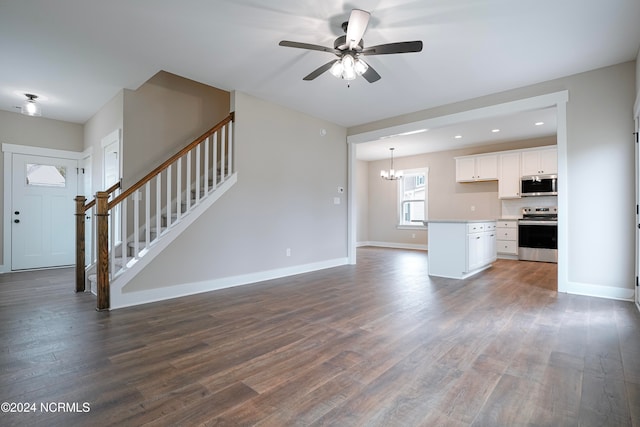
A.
pixel 458 249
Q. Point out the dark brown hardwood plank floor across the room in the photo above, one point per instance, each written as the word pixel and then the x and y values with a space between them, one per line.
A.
pixel 377 344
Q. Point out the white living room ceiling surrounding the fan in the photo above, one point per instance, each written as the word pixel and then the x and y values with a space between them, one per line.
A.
pixel 77 54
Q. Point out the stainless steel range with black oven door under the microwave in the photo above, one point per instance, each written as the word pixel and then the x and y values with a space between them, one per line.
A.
pixel 538 234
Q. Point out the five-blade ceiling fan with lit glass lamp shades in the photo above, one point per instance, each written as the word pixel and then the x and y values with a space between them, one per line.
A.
pixel 350 48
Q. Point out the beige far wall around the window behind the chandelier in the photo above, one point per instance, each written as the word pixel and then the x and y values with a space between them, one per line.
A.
pixel 447 199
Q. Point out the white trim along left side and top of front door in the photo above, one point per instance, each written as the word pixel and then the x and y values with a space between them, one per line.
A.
pixel 8 151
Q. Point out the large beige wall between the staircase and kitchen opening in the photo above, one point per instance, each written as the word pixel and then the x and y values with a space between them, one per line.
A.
pixel 288 176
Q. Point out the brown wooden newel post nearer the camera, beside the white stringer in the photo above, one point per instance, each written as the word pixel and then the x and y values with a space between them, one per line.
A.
pixel 102 216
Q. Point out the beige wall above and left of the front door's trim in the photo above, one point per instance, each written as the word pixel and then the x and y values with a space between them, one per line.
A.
pixel 36 132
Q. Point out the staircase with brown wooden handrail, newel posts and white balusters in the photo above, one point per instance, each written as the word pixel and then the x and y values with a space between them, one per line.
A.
pixel 136 224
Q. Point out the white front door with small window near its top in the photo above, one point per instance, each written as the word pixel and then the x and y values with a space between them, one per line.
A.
pixel 42 211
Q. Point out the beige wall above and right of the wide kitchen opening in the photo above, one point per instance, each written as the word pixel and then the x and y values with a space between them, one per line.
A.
pixel 599 142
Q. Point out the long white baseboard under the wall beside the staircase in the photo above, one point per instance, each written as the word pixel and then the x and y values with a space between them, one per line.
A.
pixel 127 299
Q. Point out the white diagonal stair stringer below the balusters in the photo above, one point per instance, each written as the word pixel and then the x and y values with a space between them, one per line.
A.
pixel 121 299
